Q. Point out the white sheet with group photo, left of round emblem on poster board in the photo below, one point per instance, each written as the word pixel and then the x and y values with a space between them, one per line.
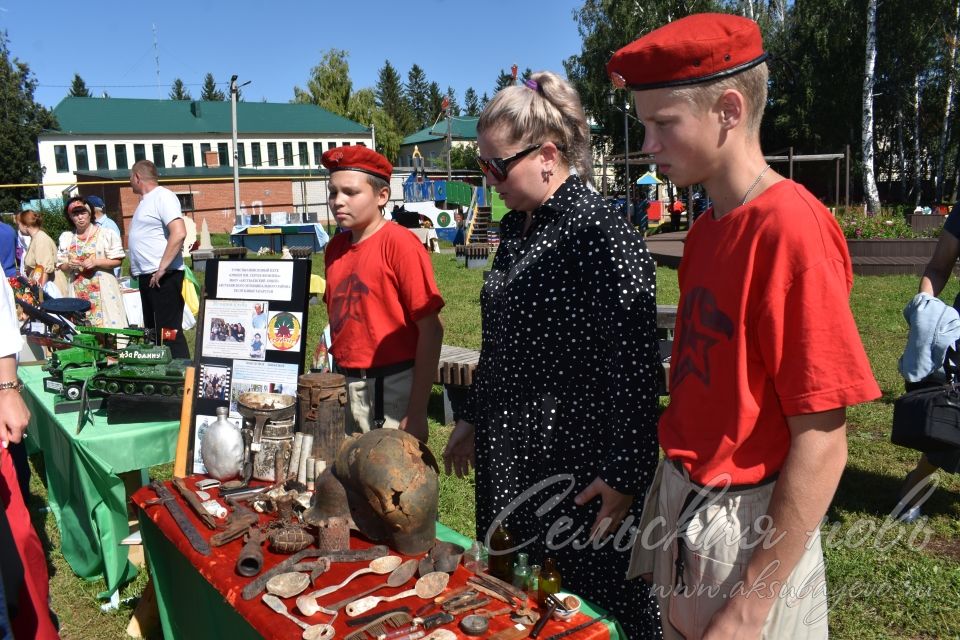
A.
pixel 229 330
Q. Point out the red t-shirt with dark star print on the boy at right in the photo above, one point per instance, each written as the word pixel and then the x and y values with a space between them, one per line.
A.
pixel 764 331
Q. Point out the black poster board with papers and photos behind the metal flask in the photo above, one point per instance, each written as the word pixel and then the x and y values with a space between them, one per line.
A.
pixel 252 337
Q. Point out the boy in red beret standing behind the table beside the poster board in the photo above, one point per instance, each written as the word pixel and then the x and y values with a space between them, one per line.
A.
pixel 381 297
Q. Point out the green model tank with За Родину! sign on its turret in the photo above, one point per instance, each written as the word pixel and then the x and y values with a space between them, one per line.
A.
pixel 141 369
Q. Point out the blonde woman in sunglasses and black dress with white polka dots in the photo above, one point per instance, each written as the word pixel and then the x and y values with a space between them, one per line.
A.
pixel 561 418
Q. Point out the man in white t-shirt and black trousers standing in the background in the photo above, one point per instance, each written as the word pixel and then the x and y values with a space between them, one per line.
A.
pixel 155 241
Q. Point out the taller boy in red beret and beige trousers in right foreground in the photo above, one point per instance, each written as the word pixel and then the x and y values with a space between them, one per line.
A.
pixel 766 355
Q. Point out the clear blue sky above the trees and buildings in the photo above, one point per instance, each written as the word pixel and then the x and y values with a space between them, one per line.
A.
pixel 274 44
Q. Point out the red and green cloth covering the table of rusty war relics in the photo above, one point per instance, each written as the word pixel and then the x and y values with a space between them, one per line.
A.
pixel 200 596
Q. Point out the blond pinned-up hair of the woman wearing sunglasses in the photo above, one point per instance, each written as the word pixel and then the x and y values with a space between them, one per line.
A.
pixel 546 109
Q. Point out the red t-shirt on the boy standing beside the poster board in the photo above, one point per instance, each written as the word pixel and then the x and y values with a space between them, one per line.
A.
pixel 376 292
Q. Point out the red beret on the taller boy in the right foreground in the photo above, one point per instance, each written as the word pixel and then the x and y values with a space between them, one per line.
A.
pixel 698 48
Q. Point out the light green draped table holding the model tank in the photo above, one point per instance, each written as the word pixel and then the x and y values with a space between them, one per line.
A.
pixel 84 491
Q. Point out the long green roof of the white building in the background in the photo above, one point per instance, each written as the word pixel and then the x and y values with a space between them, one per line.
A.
pixel 83 116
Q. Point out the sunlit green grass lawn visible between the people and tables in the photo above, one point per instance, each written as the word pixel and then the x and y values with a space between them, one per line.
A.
pixel 886 580
